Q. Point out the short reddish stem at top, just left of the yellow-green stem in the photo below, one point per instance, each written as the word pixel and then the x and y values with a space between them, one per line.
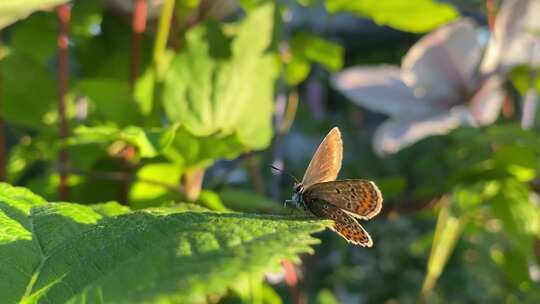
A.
pixel 138 25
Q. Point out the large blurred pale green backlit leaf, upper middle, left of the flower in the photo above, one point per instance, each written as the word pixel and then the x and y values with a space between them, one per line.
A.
pixel 220 91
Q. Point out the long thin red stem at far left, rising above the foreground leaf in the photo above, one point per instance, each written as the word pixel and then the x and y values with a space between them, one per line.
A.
pixel 64 14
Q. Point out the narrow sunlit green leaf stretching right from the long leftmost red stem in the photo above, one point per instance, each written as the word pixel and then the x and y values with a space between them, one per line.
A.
pixel 149 142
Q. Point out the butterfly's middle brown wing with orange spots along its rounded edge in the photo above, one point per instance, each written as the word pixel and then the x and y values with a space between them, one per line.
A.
pixel 361 198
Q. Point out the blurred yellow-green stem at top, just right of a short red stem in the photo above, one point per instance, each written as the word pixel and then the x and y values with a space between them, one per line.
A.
pixel 162 36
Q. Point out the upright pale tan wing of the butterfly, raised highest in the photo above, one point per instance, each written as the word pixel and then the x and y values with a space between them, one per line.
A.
pixel 326 162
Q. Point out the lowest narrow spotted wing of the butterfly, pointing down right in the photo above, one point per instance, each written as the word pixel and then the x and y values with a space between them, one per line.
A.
pixel 344 224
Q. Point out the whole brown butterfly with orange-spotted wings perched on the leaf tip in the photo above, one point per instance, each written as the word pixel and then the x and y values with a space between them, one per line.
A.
pixel 343 201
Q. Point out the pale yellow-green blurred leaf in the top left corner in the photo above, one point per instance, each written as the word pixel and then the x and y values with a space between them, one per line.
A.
pixel 12 10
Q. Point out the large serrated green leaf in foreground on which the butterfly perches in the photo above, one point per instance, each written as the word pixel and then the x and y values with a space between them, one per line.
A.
pixel 59 252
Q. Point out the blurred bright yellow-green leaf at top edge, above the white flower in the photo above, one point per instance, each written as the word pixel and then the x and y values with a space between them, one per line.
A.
pixel 415 16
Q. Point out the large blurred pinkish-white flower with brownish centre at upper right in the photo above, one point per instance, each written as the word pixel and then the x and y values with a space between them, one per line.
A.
pixel 442 82
